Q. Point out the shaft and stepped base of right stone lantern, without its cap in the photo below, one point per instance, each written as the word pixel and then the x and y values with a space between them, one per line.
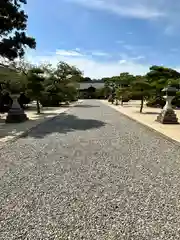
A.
pixel 168 115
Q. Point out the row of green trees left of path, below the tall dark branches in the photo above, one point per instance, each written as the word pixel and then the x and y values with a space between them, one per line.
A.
pixel 47 85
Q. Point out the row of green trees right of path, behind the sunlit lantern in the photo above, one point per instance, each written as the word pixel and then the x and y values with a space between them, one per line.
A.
pixel 147 87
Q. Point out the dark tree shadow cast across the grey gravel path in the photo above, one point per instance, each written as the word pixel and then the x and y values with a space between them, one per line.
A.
pixel 64 123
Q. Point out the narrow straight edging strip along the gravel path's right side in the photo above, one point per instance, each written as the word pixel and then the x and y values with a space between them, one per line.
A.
pixel 150 128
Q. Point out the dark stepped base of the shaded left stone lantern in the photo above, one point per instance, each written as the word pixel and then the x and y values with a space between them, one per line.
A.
pixel 16 115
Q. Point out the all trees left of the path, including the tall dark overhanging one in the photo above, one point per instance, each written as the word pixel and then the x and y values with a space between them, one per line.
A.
pixel 45 84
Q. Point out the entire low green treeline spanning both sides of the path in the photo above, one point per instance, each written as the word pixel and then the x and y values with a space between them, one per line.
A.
pixel 49 86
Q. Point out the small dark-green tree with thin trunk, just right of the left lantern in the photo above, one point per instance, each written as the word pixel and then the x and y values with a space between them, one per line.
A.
pixel 35 85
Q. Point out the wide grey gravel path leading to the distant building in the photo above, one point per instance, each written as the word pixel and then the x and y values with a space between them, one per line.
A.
pixel 90 174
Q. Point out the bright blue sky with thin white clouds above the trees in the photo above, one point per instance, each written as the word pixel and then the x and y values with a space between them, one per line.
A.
pixel 105 37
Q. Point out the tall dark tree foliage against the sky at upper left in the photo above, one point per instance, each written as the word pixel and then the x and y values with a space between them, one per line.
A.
pixel 13 39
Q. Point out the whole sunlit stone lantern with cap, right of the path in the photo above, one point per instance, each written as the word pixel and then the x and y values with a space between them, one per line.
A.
pixel 168 115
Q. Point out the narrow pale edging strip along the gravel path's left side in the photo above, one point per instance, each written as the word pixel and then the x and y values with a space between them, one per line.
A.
pixel 27 131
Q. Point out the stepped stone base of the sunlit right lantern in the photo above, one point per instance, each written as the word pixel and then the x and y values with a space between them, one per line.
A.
pixel 167 117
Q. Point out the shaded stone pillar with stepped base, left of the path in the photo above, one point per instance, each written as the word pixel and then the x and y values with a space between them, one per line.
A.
pixel 16 114
